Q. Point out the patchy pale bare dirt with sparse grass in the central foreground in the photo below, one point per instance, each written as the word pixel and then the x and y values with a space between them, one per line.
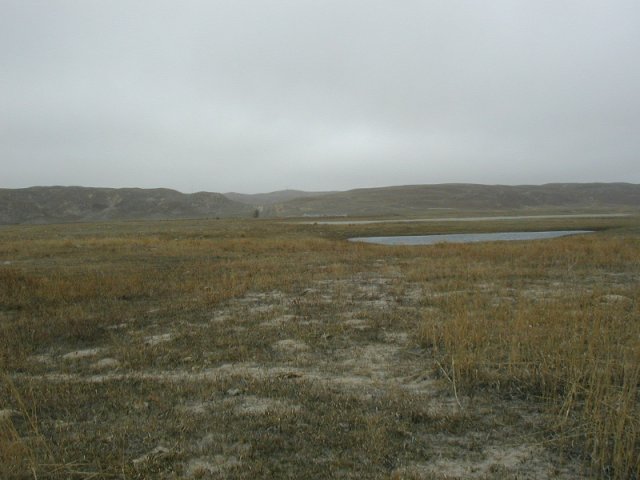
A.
pixel 385 367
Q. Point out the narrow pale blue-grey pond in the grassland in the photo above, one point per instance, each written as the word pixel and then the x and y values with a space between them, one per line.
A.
pixel 467 237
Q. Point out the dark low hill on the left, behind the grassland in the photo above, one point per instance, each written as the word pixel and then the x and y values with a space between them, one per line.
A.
pixel 72 204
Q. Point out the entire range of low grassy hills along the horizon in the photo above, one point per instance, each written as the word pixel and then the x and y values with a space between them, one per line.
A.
pixel 72 204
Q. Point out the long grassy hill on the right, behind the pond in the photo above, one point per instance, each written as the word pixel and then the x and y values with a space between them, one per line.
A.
pixel 404 200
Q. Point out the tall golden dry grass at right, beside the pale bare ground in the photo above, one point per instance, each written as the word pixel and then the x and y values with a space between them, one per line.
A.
pixel 564 328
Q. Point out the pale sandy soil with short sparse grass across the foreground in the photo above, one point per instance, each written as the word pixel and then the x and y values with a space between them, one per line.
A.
pixel 356 352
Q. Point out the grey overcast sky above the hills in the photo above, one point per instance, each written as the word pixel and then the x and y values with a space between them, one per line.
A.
pixel 261 95
